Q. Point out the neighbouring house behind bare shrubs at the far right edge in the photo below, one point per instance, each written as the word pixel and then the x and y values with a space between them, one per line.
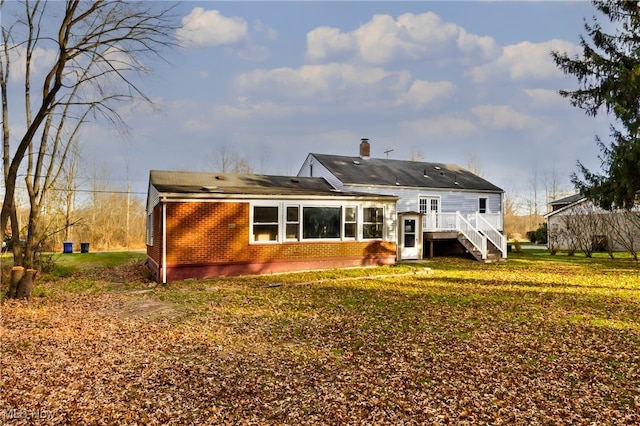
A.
pixel 576 223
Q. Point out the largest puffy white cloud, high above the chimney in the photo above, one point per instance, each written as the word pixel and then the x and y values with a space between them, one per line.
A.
pixel 384 40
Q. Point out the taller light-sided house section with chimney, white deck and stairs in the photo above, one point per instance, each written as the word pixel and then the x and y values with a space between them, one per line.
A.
pixel 436 202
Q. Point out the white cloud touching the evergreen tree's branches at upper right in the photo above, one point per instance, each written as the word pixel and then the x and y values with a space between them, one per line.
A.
pixel 524 61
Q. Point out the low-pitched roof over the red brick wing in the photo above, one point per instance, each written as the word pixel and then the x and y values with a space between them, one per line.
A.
pixel 220 184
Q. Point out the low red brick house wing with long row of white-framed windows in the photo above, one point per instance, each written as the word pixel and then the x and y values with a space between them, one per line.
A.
pixel 202 225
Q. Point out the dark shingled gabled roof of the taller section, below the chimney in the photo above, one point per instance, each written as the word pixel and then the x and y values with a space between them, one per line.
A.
pixel 385 172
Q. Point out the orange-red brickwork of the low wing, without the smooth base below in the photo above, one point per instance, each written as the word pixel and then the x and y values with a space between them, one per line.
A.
pixel 204 233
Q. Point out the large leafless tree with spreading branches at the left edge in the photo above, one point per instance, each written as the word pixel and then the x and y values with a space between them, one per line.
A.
pixel 98 48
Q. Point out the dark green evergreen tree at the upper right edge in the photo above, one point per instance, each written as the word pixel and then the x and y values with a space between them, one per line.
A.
pixel 608 72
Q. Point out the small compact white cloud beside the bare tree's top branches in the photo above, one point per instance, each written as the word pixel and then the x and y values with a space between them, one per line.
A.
pixel 209 28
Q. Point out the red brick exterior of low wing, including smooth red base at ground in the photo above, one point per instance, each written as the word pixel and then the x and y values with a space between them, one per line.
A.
pixel 208 239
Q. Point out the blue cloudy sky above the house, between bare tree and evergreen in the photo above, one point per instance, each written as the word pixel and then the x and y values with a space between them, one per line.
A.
pixel 465 82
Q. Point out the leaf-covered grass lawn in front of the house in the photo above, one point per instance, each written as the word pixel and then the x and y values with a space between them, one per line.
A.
pixel 538 339
